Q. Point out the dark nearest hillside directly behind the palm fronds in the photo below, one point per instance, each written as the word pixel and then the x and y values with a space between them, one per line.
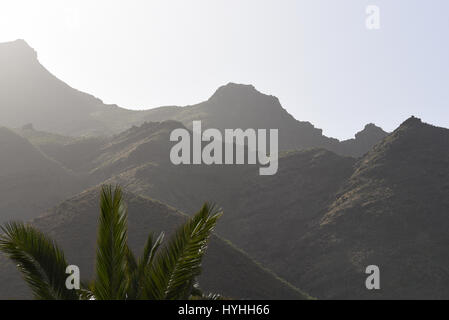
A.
pixel 73 224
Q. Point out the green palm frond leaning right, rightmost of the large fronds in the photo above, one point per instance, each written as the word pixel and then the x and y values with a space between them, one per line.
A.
pixel 173 272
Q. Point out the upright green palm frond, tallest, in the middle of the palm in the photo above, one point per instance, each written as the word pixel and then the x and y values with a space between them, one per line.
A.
pixel 112 248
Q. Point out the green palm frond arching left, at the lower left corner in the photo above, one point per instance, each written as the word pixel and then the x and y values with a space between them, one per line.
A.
pixel 39 259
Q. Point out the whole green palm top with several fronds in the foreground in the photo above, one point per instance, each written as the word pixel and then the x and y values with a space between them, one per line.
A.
pixel 162 272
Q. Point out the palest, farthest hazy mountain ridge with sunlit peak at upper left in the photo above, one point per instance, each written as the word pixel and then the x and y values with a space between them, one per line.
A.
pixel 31 94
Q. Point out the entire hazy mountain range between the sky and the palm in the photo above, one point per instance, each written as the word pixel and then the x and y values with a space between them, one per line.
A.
pixel 333 208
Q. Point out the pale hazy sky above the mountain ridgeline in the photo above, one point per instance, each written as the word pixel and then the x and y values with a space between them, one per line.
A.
pixel 316 56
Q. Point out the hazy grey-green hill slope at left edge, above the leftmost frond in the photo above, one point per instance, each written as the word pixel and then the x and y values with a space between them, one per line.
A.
pixel 30 182
